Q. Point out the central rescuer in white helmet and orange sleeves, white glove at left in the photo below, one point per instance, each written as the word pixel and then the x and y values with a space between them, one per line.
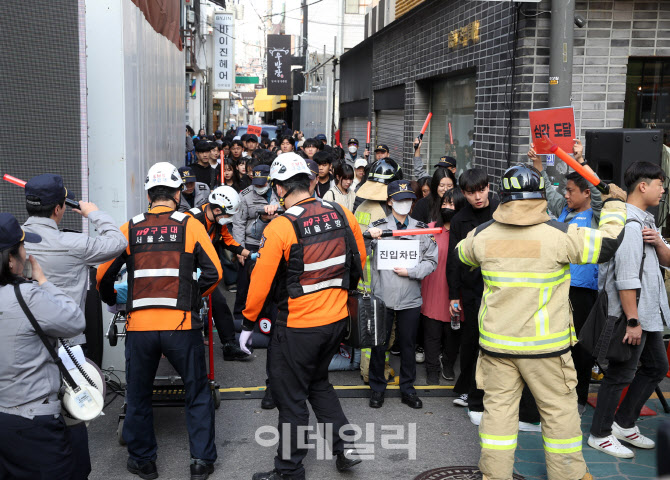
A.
pixel 311 251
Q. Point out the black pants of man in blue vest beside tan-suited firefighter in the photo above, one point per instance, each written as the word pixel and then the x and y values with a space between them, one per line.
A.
pixel 582 300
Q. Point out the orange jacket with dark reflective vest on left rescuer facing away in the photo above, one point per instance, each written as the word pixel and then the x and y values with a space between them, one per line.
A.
pixel 158 271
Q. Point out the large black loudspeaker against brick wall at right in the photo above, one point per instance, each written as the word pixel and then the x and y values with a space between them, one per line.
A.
pixel 610 152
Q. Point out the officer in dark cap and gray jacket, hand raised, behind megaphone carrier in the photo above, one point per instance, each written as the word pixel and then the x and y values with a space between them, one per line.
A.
pixel 65 258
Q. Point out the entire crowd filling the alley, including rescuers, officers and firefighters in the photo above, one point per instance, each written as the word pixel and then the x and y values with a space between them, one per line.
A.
pixel 290 224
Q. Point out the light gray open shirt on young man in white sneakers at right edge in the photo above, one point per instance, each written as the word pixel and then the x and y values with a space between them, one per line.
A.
pixel 653 308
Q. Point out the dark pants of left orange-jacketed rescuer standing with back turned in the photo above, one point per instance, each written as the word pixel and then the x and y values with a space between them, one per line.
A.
pixel 185 351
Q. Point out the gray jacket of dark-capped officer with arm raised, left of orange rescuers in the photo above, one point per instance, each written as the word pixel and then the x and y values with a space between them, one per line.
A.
pixel 66 256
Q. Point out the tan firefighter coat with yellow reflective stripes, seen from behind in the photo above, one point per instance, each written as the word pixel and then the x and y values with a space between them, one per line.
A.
pixel 525 260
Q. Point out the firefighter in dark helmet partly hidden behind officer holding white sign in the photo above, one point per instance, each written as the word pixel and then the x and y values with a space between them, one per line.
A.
pixel 372 205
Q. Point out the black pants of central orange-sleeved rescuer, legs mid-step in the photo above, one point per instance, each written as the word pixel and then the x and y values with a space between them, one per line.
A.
pixel 298 373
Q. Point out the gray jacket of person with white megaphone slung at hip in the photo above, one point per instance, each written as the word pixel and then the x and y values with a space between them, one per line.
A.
pixel 28 374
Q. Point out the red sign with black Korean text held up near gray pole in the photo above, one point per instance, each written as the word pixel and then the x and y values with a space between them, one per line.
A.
pixel 558 124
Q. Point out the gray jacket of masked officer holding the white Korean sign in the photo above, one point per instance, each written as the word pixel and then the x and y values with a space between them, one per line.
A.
pixel 400 293
